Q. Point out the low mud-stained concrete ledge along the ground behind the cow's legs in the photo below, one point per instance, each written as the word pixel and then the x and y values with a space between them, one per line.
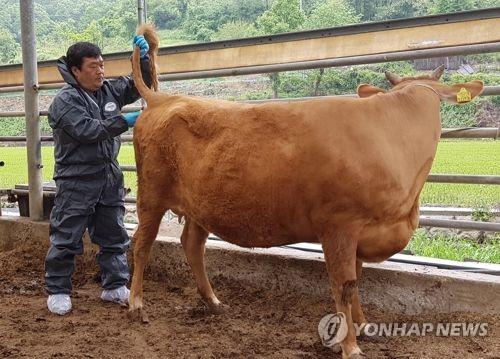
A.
pixel 391 287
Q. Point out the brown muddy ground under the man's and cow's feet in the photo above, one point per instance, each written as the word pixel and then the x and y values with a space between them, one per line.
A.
pixel 259 323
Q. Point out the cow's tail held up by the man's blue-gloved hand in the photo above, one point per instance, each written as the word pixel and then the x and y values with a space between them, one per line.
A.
pixel 153 40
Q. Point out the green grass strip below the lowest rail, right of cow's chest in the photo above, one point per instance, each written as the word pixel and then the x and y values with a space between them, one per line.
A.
pixel 454 248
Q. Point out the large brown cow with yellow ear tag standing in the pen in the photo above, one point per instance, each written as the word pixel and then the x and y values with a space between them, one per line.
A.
pixel 343 172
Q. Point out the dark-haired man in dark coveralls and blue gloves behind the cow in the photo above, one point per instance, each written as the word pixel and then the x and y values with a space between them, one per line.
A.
pixel 86 121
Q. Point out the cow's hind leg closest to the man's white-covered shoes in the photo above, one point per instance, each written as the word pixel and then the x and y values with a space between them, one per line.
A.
pixel 149 222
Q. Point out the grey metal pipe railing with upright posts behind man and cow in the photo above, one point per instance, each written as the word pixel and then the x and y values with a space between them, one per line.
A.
pixel 31 92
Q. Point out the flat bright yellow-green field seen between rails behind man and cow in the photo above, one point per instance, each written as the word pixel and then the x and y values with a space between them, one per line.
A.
pixel 456 157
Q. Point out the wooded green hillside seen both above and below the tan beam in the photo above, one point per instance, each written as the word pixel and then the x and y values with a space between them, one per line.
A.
pixel 111 24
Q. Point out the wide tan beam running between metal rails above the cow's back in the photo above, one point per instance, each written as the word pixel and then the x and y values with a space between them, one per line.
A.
pixel 384 39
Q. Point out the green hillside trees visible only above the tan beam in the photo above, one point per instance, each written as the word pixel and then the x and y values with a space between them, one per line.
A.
pixel 111 23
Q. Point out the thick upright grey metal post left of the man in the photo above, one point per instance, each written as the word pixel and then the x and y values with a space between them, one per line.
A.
pixel 33 142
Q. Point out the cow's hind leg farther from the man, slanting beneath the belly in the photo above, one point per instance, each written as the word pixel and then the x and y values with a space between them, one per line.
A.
pixel 193 241
